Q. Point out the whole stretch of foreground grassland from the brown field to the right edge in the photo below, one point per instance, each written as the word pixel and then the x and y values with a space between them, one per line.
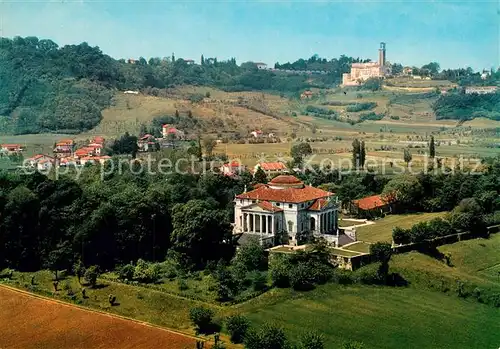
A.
pixel 419 316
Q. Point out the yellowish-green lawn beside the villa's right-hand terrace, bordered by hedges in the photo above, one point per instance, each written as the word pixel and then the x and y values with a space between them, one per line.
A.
pixel 382 229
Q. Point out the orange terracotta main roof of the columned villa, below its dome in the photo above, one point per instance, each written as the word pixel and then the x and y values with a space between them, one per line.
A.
pixel 292 195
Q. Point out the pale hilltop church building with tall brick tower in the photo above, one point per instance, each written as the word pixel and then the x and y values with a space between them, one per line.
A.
pixel 361 72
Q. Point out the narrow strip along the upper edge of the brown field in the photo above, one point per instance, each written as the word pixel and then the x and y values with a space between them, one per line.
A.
pixel 101 312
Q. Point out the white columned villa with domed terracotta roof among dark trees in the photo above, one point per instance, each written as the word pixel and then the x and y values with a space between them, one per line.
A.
pixel 285 204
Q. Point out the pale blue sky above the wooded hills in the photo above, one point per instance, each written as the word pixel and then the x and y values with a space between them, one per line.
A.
pixel 455 34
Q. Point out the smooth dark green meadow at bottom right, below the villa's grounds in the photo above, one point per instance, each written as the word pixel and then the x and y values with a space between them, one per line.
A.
pixel 380 317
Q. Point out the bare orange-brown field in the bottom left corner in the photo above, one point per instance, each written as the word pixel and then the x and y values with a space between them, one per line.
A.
pixel 31 321
